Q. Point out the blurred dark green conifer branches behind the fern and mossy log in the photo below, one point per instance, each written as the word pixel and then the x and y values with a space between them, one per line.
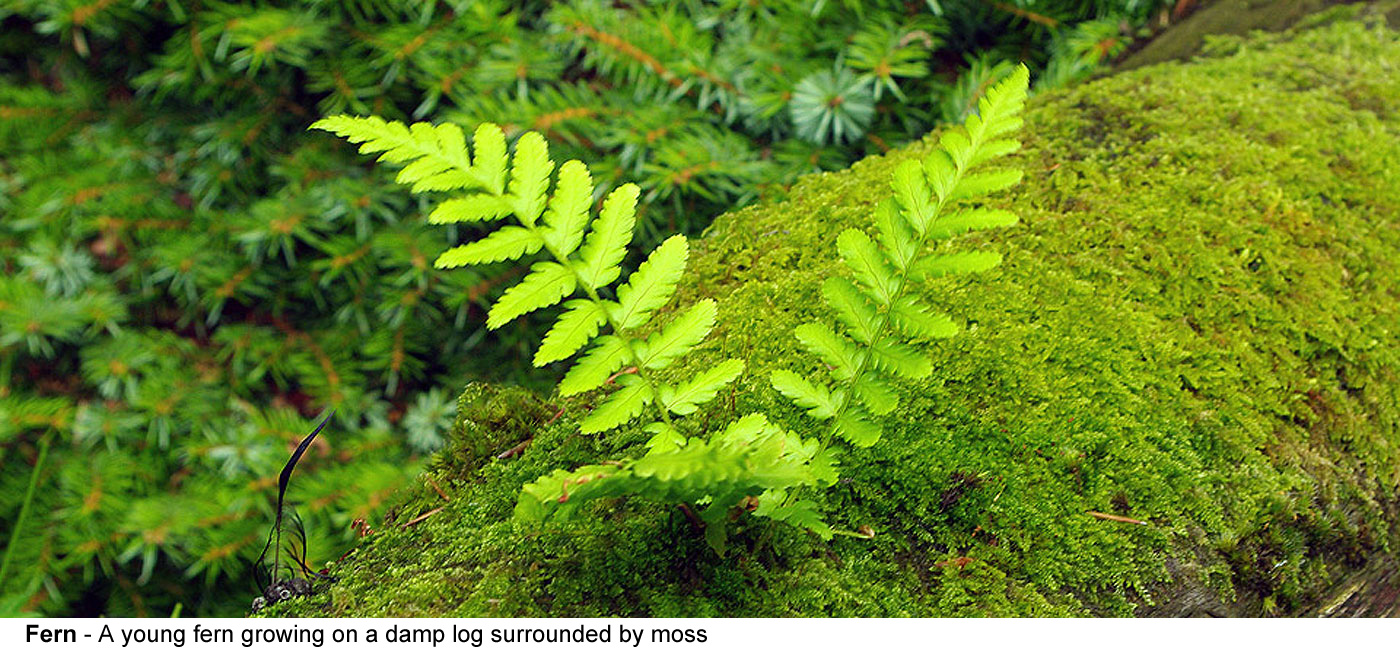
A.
pixel 191 278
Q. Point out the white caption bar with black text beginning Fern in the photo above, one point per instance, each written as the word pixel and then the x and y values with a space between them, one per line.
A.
pixel 720 634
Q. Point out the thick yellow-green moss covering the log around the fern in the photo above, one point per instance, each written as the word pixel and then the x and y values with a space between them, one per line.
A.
pixel 1195 327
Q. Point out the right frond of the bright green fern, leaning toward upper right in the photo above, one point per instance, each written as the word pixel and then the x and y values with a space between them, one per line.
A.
pixel 877 310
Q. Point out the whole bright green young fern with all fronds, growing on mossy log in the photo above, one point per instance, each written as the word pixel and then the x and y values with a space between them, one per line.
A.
pixel 751 460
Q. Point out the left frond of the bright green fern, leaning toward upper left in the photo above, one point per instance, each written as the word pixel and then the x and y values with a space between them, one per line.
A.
pixel 586 258
